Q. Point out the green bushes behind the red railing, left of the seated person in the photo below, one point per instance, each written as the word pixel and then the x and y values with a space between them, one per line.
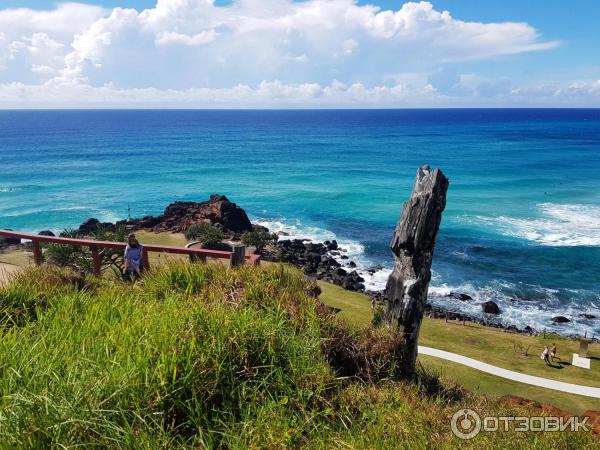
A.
pixel 80 258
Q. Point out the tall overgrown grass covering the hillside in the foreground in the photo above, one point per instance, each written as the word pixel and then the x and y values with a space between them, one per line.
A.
pixel 203 357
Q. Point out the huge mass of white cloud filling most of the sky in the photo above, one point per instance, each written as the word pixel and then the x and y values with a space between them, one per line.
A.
pixel 192 52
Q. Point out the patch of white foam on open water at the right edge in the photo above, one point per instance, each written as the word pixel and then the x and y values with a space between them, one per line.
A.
pixel 558 225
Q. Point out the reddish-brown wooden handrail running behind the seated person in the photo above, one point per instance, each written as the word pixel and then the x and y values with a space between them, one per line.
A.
pixel 94 245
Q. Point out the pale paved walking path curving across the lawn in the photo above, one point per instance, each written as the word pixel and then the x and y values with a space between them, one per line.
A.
pixel 570 388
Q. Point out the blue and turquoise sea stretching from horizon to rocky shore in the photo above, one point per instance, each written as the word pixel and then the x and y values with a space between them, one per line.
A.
pixel 521 227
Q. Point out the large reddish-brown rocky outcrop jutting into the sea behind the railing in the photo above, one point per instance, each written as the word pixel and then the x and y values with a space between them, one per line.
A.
pixel 218 210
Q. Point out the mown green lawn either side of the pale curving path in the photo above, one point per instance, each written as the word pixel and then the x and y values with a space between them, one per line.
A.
pixel 489 345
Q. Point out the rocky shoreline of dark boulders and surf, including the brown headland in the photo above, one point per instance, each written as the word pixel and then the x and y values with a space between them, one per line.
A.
pixel 326 260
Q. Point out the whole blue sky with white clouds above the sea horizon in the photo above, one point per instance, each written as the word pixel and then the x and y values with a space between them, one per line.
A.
pixel 299 54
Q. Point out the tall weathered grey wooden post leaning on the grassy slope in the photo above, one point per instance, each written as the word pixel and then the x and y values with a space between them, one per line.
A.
pixel 412 245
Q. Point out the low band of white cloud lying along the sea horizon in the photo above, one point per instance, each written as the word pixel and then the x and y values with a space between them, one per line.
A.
pixel 58 93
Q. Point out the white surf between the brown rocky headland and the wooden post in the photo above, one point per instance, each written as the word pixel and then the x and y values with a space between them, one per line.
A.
pixel 375 280
